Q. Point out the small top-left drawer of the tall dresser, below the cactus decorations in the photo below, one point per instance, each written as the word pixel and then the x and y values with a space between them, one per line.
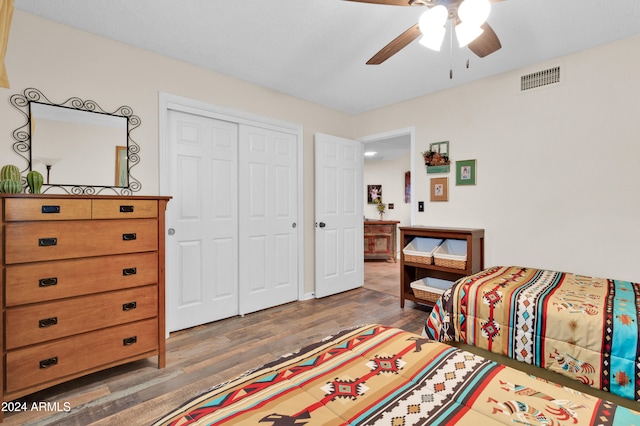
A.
pixel 17 209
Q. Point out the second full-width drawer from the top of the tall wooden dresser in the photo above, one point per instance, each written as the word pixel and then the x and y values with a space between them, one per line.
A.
pixel 44 281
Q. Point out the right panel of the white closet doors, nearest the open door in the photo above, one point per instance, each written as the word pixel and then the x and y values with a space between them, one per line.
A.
pixel 268 218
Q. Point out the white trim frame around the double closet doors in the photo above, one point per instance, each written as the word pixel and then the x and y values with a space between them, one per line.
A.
pixel 167 101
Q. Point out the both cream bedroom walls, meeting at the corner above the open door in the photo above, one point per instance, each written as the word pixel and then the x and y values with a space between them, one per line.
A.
pixel 556 167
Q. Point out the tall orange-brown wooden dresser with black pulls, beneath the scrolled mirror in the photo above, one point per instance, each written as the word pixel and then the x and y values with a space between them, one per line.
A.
pixel 82 286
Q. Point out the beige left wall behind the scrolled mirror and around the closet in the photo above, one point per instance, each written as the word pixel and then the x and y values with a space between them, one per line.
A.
pixel 63 62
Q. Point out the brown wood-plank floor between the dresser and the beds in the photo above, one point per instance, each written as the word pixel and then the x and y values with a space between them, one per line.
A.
pixel 199 358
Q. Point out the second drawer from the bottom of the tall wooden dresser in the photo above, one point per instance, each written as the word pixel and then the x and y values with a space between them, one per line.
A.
pixel 26 325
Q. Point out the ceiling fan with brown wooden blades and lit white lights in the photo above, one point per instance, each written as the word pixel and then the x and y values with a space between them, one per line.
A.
pixel 431 26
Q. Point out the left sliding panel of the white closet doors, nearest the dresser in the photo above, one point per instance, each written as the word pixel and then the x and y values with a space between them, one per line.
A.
pixel 202 261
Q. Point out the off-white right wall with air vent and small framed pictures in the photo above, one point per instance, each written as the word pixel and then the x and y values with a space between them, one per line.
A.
pixel 557 185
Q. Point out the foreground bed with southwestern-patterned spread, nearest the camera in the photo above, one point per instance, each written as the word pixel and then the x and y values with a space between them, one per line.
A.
pixel 386 376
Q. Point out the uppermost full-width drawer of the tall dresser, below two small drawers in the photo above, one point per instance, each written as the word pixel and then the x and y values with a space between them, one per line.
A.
pixel 37 241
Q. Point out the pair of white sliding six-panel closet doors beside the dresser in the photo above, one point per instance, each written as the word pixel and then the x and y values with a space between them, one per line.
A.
pixel 232 247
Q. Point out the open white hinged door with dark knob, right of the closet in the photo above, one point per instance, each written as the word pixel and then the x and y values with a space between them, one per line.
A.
pixel 339 220
